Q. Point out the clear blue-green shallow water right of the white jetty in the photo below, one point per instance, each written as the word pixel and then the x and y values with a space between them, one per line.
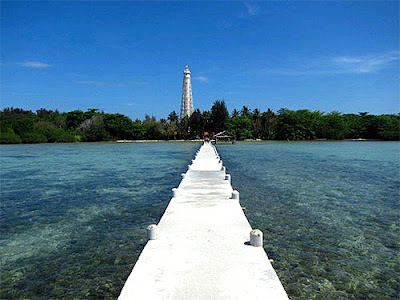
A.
pixel 329 212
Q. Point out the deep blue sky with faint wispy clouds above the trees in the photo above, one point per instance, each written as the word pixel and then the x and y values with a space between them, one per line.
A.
pixel 128 57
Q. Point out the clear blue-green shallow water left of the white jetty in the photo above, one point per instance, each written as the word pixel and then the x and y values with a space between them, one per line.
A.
pixel 73 216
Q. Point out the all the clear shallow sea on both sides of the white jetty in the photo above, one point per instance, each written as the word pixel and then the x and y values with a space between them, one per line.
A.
pixel 73 215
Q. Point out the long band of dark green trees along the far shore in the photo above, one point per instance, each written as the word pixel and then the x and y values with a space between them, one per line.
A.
pixel 48 126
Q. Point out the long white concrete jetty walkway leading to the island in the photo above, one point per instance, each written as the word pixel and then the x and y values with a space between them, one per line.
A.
pixel 200 249
